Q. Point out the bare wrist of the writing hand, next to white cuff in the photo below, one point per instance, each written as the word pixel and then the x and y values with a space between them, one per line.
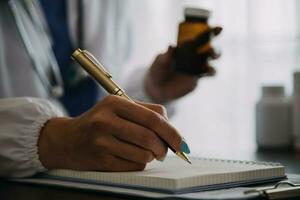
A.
pixel 53 151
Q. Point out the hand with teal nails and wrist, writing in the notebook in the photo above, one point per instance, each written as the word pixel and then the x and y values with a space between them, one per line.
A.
pixel 115 135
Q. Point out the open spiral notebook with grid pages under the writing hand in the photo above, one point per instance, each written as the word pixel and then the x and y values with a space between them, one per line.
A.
pixel 175 176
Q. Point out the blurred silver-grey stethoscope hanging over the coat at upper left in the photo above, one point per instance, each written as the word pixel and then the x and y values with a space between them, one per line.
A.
pixel 19 12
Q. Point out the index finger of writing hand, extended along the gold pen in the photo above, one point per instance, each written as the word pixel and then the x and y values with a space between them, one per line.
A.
pixel 151 120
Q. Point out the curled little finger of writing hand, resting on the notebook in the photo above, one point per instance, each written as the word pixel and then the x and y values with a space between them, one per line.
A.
pixel 112 163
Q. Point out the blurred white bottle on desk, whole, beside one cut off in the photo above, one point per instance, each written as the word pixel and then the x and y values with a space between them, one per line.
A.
pixel 274 119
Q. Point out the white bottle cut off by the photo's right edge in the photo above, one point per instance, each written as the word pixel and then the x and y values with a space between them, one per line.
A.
pixel 296 111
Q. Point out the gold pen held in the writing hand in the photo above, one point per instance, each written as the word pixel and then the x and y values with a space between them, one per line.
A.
pixel 93 67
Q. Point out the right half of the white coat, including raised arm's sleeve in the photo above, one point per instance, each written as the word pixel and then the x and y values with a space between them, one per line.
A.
pixel 108 36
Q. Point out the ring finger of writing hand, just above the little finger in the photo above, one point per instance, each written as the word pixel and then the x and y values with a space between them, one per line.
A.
pixel 126 150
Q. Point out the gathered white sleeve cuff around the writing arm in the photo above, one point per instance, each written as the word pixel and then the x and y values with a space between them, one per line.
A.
pixel 21 120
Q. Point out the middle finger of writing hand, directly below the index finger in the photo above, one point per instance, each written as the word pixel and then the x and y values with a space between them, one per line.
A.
pixel 139 136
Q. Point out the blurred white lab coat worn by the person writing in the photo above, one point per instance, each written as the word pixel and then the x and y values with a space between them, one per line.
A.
pixel 21 119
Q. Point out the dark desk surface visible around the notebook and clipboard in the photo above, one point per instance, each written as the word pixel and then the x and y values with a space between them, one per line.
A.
pixel 17 191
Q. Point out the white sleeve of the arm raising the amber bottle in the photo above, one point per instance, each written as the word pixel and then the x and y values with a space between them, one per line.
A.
pixel 135 88
